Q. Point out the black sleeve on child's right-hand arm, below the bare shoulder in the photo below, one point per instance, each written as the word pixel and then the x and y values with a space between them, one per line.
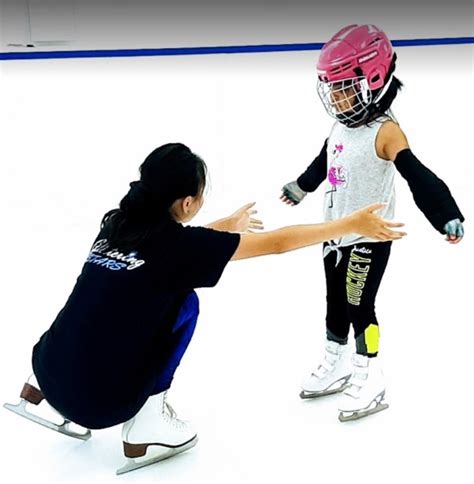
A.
pixel 431 195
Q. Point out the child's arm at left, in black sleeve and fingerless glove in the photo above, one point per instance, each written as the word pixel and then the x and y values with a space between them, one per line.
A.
pixel 294 192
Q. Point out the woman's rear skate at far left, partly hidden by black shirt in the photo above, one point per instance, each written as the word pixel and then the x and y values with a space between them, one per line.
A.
pixel 32 395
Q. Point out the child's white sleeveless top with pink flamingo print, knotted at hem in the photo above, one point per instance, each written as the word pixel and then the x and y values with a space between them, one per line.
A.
pixel 356 177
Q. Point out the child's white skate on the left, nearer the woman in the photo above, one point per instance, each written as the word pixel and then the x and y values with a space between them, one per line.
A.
pixel 331 375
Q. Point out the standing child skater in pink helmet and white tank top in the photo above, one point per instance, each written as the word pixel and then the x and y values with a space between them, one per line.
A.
pixel 357 164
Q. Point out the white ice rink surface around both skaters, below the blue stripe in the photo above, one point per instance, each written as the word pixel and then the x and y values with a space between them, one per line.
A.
pixel 73 134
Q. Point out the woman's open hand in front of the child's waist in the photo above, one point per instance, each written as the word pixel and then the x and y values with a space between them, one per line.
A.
pixel 366 222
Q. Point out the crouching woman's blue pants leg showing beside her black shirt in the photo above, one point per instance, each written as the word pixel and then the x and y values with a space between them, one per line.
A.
pixel 176 344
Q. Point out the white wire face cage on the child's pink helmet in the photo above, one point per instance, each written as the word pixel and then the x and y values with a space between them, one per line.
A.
pixel 346 100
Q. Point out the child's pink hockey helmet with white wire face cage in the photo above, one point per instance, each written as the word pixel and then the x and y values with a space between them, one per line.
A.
pixel 357 60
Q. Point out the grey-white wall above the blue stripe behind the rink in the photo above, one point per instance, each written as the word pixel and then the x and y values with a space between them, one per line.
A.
pixel 119 24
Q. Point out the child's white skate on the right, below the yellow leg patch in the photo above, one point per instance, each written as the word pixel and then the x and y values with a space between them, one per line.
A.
pixel 366 392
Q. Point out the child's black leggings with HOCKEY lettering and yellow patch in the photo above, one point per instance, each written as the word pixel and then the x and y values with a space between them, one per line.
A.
pixel 351 287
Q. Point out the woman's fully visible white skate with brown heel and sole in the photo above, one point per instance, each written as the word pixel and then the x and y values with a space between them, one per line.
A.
pixel 154 434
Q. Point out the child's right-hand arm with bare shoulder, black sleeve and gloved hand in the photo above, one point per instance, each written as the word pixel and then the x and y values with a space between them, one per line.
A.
pixel 431 194
